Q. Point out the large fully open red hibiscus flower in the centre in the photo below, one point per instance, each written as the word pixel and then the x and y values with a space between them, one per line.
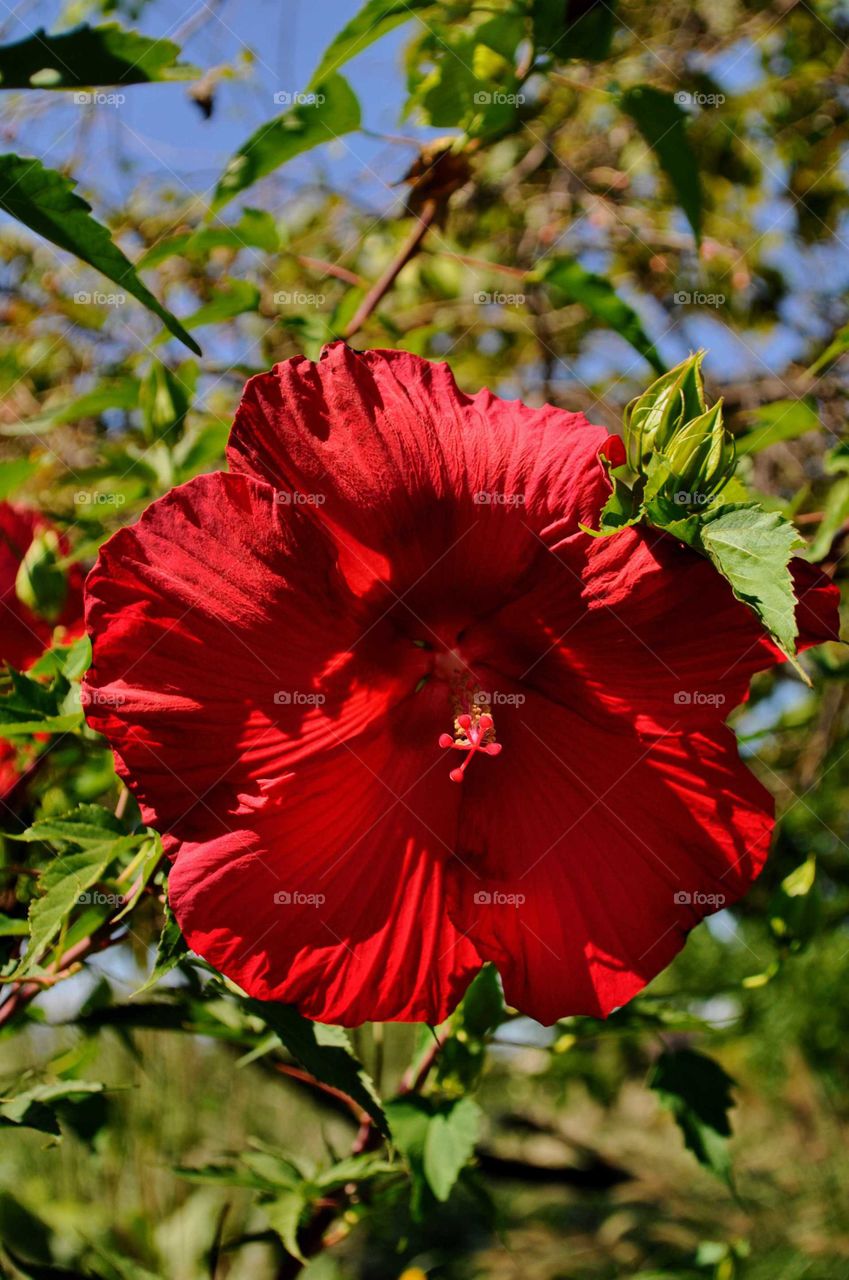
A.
pixel 399 716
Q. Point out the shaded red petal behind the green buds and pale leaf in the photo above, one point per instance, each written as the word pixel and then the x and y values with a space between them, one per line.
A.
pixel 641 627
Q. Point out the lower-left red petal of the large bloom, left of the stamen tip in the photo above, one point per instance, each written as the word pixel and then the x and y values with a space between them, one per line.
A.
pixel 335 898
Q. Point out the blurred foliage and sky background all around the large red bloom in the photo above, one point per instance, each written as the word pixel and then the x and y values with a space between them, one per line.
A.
pixel 562 198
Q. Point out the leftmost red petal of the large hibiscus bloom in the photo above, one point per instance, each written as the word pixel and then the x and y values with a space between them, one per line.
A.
pixel 223 650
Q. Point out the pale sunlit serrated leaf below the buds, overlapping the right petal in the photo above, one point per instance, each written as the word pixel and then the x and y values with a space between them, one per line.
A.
pixel 752 550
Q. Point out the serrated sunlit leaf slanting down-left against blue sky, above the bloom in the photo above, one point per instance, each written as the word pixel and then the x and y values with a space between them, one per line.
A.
pixel 330 111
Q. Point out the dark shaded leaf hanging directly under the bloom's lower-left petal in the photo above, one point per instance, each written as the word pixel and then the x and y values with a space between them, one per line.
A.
pixel 325 1053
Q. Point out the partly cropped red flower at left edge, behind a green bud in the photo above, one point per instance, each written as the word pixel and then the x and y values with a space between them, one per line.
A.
pixel 24 634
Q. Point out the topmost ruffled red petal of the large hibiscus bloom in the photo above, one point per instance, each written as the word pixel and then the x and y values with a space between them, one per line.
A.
pixel 437 493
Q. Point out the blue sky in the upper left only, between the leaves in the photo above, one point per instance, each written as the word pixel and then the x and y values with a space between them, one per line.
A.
pixel 273 47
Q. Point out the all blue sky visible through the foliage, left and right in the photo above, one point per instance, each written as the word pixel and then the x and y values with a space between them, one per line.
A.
pixel 273 47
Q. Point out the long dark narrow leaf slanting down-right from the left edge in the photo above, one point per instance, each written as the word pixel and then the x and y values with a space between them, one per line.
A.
pixel 44 200
